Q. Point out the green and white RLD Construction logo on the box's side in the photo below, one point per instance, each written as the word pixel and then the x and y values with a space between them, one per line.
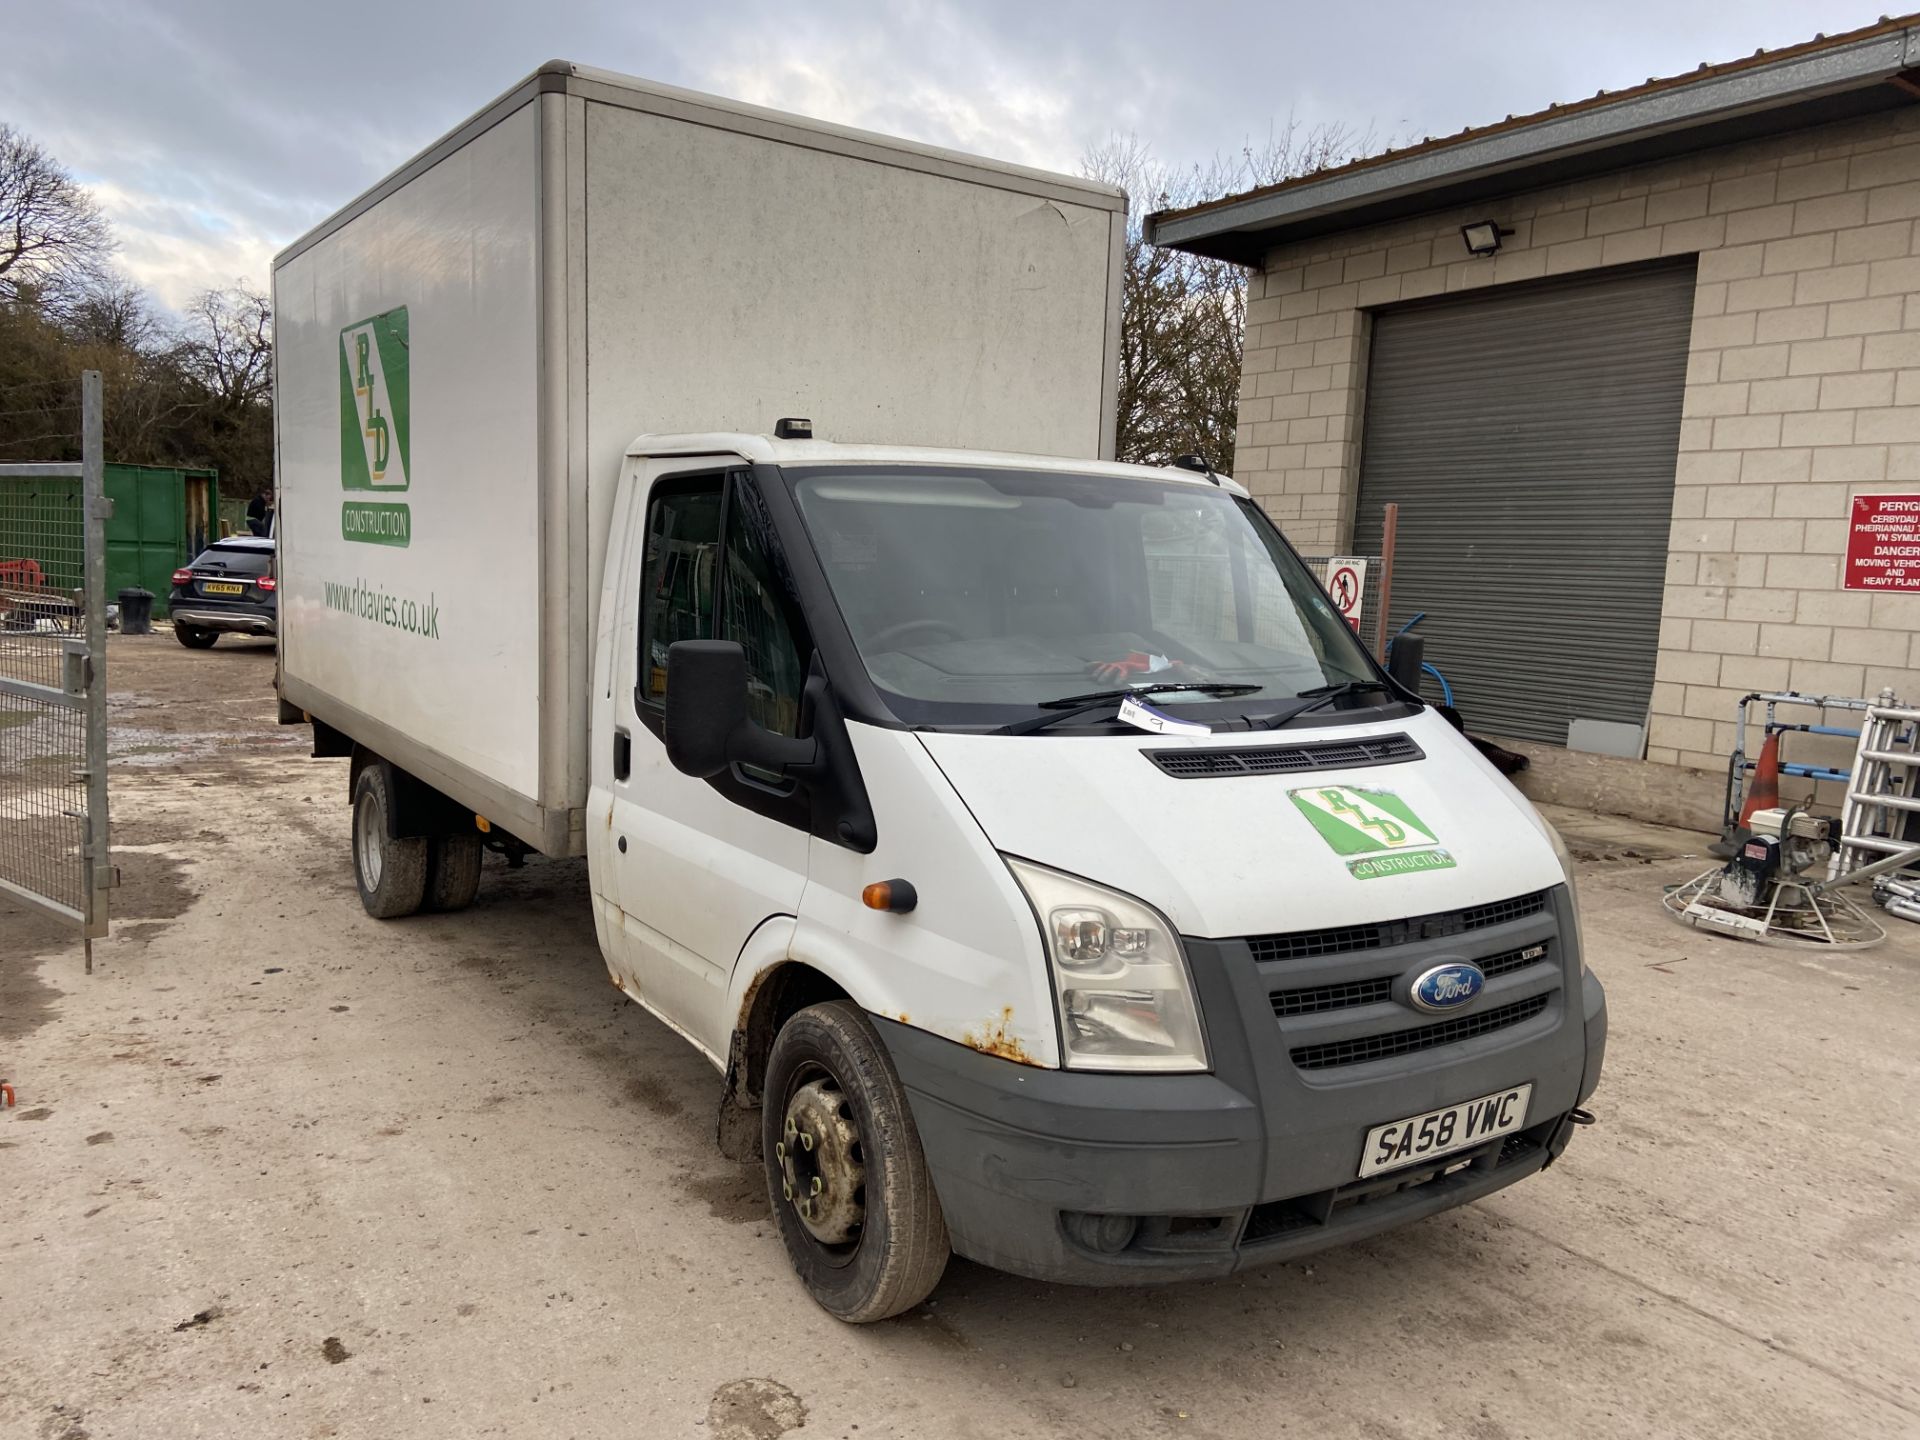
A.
pixel 375 427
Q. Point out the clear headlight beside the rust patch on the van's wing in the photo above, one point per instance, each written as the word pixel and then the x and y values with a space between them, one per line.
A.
pixel 1120 976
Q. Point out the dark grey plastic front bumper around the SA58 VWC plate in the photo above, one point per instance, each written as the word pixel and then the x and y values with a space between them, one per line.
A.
pixel 1212 1174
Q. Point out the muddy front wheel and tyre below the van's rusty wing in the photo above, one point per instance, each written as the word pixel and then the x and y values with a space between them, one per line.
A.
pixel 846 1174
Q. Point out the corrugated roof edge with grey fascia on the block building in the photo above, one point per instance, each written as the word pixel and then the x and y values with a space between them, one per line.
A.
pixel 1765 93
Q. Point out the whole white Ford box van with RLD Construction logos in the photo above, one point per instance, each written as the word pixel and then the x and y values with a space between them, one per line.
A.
pixel 1042 861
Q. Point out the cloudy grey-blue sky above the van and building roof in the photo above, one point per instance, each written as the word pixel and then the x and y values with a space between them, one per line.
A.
pixel 216 132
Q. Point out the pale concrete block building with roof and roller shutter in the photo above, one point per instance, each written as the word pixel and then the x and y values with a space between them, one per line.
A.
pixel 1637 372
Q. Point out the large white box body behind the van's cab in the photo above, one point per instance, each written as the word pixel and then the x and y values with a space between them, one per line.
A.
pixel 466 352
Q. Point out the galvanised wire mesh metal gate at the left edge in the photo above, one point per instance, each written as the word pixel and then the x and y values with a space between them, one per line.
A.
pixel 53 683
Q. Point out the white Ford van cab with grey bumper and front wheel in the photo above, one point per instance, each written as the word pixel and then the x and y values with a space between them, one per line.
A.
pixel 1053 875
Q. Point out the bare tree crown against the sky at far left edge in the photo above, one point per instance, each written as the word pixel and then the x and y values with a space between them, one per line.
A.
pixel 53 235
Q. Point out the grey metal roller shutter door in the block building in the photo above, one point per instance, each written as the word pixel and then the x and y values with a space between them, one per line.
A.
pixel 1529 437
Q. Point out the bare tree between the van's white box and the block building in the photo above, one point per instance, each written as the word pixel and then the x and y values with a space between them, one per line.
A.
pixel 1184 318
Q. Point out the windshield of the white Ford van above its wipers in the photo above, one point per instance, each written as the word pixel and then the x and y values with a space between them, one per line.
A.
pixel 978 596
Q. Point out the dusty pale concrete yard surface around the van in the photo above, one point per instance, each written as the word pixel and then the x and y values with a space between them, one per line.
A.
pixel 283 1170
